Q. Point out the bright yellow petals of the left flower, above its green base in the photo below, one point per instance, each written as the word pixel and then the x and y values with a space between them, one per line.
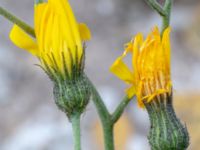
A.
pixel 59 37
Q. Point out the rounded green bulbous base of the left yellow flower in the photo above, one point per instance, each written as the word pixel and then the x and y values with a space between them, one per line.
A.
pixel 72 96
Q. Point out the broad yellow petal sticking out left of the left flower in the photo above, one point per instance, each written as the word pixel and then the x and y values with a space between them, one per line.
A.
pixel 23 40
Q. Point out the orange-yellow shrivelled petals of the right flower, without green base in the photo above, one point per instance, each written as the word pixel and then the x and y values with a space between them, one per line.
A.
pixel 150 75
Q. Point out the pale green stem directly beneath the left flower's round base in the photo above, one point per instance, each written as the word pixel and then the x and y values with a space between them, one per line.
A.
pixel 75 119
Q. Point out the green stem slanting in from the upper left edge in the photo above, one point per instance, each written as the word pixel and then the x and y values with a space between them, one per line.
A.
pixel 17 21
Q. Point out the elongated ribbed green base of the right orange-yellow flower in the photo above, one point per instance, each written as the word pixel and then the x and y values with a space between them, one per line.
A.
pixel 166 132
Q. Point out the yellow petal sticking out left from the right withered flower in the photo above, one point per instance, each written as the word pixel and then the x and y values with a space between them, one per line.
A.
pixel 121 70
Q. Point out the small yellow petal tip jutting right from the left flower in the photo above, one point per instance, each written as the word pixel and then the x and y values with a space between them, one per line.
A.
pixel 84 32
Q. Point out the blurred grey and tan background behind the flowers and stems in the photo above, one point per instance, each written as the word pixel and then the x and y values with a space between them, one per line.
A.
pixel 29 119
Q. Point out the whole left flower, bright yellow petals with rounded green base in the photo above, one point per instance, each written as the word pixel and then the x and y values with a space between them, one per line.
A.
pixel 59 45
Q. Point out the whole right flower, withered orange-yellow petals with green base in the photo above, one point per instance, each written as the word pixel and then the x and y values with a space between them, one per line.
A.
pixel 150 80
